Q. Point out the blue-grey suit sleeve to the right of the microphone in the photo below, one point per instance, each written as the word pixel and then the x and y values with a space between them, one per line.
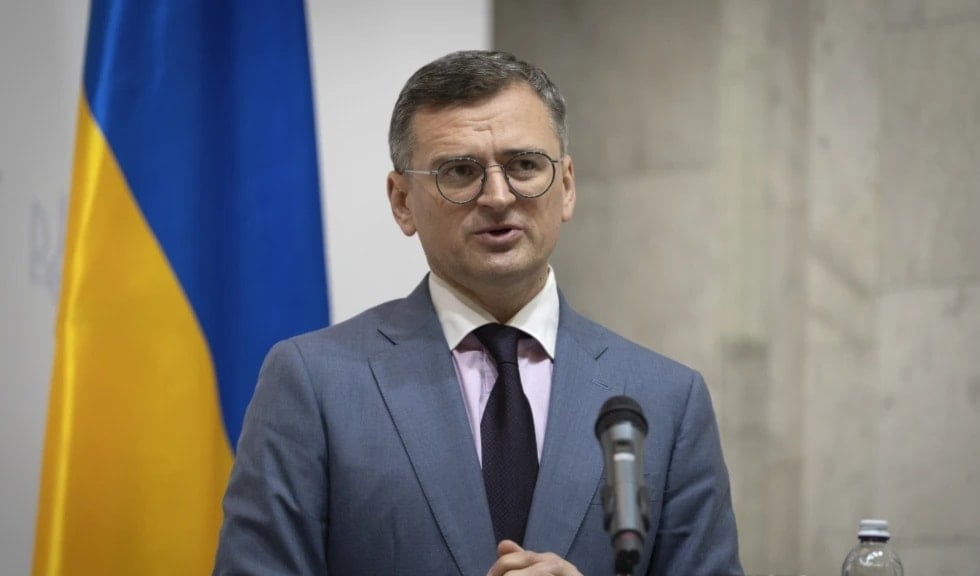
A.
pixel 697 534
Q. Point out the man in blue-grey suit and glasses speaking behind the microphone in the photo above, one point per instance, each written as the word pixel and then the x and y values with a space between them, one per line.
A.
pixel 370 447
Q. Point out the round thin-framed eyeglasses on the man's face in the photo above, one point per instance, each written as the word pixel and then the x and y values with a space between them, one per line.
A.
pixel 461 180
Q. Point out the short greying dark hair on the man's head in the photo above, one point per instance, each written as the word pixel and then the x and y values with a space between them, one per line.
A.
pixel 467 77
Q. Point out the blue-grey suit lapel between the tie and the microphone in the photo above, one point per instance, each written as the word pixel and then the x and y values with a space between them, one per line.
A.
pixel 571 461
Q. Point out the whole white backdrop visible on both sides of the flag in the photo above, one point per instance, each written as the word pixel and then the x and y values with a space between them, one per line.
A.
pixel 362 54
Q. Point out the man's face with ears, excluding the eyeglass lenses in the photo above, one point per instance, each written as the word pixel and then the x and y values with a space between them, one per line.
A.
pixel 499 243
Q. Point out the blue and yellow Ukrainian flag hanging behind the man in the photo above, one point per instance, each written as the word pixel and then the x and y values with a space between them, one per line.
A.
pixel 194 242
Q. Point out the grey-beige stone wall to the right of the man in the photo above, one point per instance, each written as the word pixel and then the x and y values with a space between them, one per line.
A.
pixel 786 194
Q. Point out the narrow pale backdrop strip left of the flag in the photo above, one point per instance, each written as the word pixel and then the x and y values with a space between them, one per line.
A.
pixel 41 47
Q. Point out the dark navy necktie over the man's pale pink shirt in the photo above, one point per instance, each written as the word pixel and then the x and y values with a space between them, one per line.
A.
pixel 510 454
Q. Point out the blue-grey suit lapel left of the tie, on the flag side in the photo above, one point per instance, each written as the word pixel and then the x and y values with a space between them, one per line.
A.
pixel 421 391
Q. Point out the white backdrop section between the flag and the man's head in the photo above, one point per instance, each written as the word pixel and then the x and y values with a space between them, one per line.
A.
pixel 363 53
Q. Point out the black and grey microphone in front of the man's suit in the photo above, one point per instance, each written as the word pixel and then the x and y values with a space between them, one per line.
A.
pixel 621 429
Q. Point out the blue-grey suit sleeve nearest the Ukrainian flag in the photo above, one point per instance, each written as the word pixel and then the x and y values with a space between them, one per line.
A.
pixel 275 506
